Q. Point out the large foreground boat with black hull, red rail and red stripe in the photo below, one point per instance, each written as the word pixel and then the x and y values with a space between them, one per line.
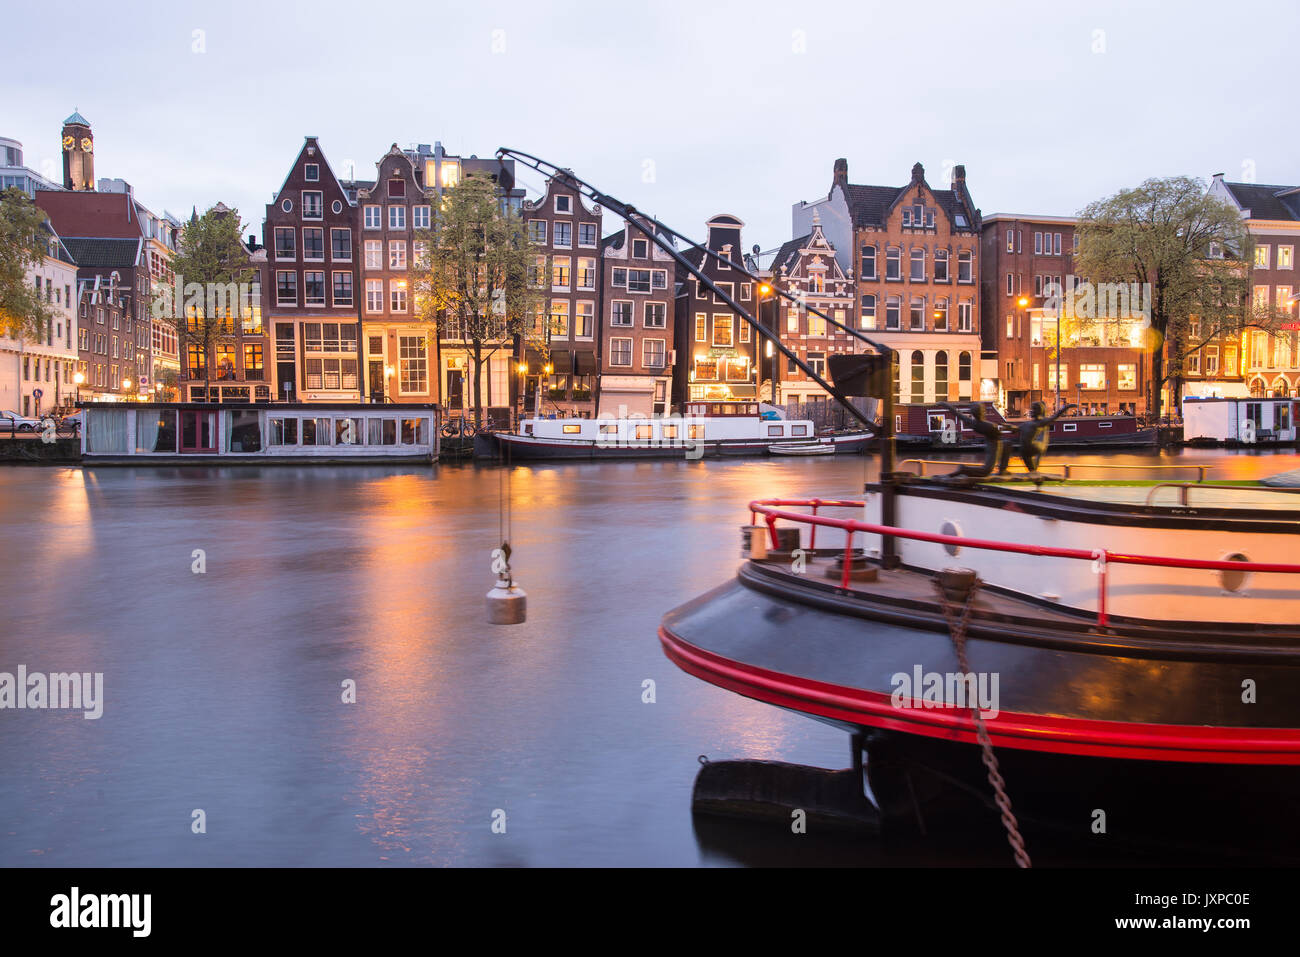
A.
pixel 1126 635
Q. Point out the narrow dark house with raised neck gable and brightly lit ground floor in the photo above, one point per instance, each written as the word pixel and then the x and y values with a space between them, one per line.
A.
pixel 717 349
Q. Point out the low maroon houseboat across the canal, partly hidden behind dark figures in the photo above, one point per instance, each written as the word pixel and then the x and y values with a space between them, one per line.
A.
pixel 935 428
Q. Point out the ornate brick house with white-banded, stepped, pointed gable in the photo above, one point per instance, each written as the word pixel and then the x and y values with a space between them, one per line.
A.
pixel 808 270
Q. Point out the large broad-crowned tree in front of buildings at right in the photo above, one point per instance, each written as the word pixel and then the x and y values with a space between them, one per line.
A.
pixel 1186 252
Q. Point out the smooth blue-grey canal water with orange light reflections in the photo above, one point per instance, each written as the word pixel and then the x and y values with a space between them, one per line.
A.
pixel 223 691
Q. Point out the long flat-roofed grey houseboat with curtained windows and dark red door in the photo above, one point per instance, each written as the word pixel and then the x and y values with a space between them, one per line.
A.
pixel 262 434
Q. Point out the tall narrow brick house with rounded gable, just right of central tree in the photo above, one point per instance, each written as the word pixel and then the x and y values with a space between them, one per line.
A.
pixel 565 235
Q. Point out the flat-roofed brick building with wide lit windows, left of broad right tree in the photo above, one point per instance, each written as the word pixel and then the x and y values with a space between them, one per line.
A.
pixel 1028 265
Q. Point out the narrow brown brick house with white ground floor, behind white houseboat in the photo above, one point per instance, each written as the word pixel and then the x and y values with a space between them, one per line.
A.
pixel 639 319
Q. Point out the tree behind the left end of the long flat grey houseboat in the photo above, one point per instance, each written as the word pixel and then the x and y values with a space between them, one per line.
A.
pixel 213 271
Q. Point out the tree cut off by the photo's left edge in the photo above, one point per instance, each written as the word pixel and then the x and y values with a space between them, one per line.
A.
pixel 24 245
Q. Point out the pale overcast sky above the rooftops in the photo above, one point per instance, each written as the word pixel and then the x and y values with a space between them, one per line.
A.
pixel 684 110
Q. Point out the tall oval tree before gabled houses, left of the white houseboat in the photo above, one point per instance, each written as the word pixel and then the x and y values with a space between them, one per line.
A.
pixel 473 283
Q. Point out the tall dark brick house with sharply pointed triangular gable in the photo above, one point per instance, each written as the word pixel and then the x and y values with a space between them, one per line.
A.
pixel 311 292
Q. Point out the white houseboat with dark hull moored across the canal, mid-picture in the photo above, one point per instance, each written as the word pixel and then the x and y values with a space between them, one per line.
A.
pixel 707 430
